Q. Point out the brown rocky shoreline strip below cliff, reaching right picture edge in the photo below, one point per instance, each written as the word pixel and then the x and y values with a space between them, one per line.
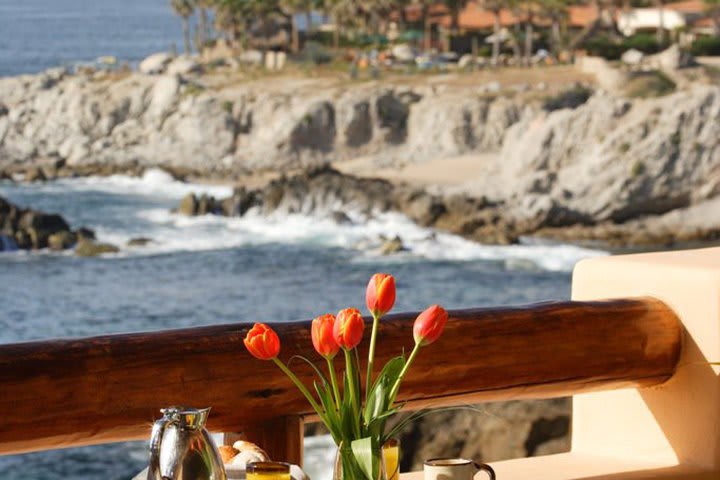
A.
pixel 327 193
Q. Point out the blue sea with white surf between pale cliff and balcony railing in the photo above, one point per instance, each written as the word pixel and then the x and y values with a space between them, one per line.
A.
pixel 211 270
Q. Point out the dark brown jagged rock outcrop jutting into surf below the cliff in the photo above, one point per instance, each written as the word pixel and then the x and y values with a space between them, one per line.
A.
pixel 326 192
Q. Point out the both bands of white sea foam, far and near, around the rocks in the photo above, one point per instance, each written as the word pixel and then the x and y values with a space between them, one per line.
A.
pixel 173 232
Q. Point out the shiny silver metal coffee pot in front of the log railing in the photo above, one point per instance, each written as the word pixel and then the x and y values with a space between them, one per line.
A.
pixel 182 449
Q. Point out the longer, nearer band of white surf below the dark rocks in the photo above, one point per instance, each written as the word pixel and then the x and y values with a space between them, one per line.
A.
pixel 173 232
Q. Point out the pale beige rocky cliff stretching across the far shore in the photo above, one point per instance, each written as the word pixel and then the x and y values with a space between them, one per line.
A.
pixel 612 168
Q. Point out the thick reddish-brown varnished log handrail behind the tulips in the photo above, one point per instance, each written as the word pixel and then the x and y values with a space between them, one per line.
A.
pixel 61 393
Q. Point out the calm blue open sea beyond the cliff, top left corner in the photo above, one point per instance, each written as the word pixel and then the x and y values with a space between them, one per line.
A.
pixel 40 34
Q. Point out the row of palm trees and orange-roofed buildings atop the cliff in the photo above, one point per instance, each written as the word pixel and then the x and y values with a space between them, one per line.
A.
pixel 233 19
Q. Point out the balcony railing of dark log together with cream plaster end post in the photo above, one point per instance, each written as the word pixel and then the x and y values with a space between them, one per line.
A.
pixel 63 393
